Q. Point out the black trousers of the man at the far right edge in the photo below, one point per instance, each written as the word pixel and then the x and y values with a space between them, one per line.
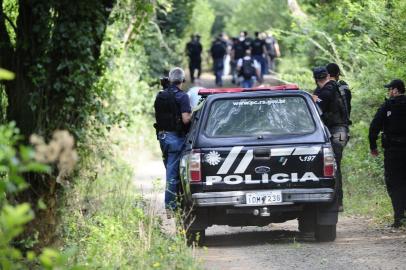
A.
pixel 395 178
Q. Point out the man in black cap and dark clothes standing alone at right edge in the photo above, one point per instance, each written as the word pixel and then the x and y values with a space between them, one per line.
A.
pixel 391 119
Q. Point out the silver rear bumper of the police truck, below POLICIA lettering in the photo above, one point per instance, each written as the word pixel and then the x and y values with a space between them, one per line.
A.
pixel 237 198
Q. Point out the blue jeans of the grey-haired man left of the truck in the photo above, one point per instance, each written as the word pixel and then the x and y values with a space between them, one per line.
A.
pixel 171 146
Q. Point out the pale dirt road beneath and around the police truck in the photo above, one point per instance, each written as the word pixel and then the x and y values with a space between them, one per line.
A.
pixel 359 244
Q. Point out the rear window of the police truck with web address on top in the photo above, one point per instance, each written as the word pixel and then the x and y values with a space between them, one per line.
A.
pixel 259 116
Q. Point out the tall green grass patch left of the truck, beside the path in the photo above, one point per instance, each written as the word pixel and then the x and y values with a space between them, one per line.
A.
pixel 111 226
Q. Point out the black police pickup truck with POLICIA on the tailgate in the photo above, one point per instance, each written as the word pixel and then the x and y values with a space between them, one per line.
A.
pixel 255 157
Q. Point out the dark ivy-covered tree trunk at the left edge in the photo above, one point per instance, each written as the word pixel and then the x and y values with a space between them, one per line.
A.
pixel 55 58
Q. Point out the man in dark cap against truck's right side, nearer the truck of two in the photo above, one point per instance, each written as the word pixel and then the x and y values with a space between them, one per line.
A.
pixel 335 117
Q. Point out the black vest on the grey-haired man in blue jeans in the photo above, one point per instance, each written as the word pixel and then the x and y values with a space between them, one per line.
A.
pixel 167 112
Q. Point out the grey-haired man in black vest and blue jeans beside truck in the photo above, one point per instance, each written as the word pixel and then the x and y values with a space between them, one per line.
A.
pixel 173 115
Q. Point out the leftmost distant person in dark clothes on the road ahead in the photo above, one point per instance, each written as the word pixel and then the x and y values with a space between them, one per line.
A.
pixel 194 51
